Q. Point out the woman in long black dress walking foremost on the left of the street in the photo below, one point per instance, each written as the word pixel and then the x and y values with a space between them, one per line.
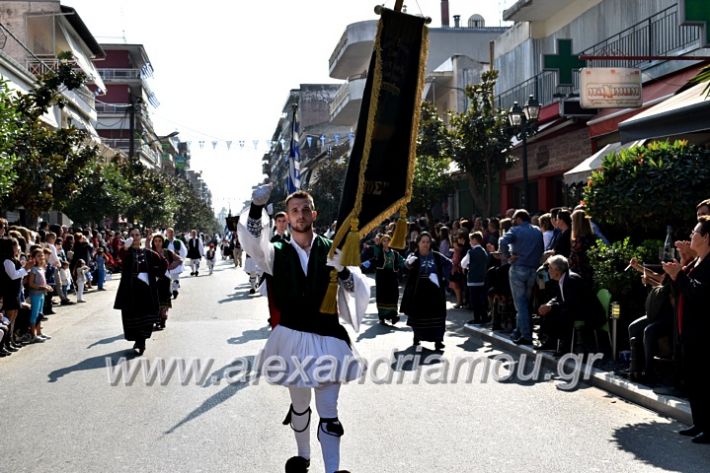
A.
pixel 137 295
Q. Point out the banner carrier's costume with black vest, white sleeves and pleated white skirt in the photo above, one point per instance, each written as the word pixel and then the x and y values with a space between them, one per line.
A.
pixel 307 341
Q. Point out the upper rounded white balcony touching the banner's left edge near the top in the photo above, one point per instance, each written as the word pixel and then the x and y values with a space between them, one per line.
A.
pixel 352 54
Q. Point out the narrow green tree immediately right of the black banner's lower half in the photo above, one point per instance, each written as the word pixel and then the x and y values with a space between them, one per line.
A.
pixel 432 182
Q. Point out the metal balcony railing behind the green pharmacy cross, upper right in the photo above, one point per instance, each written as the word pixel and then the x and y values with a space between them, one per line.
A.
pixel 657 35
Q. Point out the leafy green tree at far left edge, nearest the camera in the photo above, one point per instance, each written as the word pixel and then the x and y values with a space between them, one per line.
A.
pixel 55 163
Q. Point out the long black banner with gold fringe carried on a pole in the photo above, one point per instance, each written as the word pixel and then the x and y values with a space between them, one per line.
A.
pixel 381 166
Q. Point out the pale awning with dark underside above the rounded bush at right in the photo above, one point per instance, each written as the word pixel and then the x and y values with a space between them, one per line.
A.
pixel 685 112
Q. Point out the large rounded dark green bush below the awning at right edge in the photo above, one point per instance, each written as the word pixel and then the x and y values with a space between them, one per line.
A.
pixel 638 191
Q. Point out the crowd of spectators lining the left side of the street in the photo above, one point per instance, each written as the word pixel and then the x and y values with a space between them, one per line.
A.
pixel 47 267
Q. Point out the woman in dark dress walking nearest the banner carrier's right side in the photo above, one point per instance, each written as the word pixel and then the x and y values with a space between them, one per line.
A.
pixel 388 264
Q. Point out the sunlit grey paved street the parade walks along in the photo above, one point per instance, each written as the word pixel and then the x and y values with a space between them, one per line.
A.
pixel 61 413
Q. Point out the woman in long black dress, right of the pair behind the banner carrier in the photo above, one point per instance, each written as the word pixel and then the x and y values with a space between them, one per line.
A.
pixel 424 299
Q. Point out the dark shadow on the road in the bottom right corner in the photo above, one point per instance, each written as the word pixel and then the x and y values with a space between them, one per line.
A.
pixel 657 444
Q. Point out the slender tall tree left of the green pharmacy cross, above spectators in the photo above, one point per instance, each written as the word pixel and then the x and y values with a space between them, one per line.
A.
pixel 479 141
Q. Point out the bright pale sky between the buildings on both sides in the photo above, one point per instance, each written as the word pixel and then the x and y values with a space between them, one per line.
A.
pixel 223 69
